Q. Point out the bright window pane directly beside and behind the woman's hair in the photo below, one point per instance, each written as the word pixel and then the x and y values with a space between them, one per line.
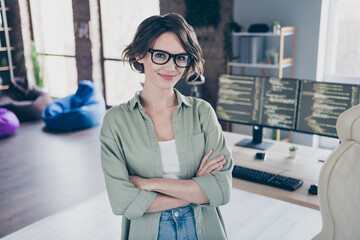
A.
pixel 119 20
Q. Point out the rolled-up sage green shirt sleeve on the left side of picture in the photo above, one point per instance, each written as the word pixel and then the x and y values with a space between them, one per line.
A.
pixel 125 198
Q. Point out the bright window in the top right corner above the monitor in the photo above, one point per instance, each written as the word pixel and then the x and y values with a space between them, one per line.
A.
pixel 343 42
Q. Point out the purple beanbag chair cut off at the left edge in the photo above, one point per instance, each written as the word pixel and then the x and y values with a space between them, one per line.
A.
pixel 8 122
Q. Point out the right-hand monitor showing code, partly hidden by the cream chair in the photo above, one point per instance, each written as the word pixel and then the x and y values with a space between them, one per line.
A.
pixel 320 104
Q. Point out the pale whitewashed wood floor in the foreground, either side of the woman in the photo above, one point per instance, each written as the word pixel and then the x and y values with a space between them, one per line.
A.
pixel 248 216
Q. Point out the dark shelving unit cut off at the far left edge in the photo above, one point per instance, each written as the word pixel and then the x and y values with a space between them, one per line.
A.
pixel 6 63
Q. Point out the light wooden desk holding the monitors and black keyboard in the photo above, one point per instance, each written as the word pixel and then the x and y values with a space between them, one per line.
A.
pixel 304 166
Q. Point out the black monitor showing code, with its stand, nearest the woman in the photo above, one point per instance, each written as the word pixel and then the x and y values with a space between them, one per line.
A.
pixel 258 101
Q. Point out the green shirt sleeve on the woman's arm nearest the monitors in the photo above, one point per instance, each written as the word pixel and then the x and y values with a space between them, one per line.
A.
pixel 216 185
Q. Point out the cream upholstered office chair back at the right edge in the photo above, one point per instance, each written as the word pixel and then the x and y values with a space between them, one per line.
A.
pixel 339 182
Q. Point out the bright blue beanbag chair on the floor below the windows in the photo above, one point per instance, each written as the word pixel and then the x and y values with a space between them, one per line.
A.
pixel 84 109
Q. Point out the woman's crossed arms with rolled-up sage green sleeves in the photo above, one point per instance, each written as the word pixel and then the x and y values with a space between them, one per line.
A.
pixel 133 196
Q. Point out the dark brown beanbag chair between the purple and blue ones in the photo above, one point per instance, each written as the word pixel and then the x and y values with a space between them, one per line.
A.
pixel 26 102
